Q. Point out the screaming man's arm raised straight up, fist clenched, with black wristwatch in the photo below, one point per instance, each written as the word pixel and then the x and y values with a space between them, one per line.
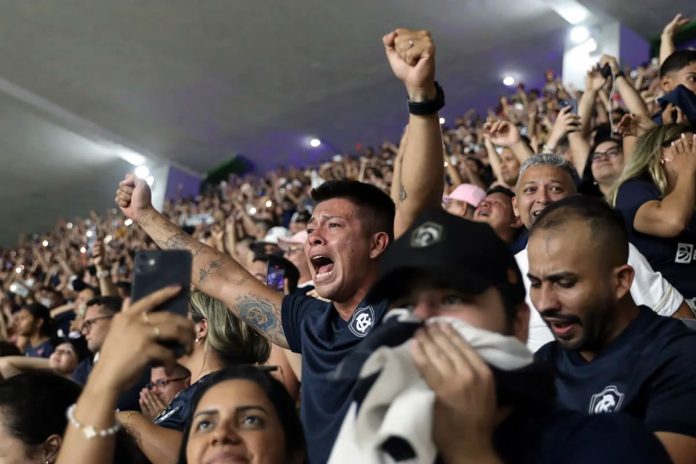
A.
pixel 411 55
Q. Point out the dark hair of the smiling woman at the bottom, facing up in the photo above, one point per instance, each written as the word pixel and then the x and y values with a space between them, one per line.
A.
pixel 276 393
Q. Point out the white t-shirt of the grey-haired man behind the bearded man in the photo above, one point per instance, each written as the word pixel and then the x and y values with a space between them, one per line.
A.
pixel 649 288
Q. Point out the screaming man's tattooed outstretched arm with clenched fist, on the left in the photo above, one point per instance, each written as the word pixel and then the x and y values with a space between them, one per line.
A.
pixel 213 273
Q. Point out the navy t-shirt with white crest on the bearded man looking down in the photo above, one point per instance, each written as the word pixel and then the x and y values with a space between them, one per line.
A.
pixel 648 372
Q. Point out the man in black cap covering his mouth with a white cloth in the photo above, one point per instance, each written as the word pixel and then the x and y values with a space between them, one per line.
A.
pixel 492 402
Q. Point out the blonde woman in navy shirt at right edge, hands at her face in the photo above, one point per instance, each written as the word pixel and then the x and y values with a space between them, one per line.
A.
pixel 656 195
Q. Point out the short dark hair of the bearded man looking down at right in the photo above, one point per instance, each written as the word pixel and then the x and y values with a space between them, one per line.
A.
pixel 606 224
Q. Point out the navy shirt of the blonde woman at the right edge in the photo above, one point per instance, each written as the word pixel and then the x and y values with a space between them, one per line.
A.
pixel 675 257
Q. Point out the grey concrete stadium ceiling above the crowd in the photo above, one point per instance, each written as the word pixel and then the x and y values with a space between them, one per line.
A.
pixel 194 82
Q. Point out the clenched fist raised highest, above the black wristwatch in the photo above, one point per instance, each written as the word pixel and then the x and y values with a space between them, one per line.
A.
pixel 411 55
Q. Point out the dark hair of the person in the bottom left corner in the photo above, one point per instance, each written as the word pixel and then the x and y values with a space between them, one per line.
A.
pixel 33 405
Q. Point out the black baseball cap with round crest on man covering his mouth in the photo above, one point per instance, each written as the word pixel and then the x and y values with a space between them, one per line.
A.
pixel 454 253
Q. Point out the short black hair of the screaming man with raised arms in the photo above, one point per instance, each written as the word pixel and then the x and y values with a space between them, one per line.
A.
pixel 377 208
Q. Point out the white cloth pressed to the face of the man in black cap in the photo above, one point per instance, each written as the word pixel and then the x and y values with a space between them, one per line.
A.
pixel 400 403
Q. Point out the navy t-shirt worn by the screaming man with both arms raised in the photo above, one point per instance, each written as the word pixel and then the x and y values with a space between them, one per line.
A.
pixel 315 329
